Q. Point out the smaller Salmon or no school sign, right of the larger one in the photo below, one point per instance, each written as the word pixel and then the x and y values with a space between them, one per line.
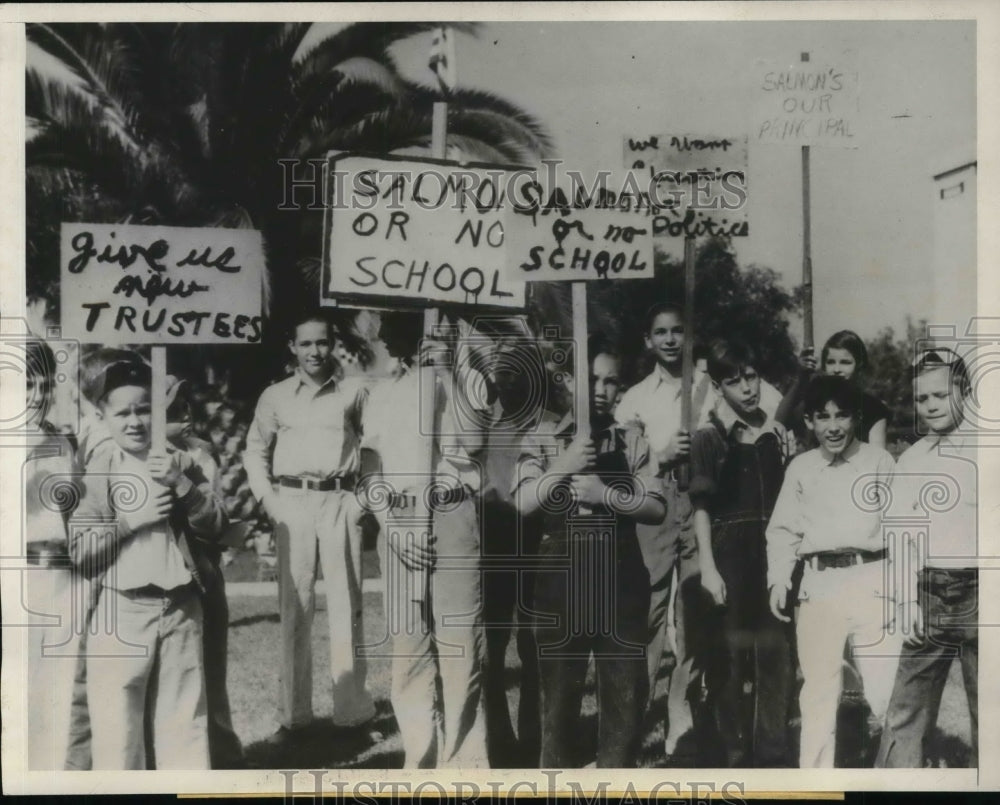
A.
pixel 560 240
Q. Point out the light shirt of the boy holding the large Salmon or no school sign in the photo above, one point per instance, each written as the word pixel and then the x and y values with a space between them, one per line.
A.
pixel 391 425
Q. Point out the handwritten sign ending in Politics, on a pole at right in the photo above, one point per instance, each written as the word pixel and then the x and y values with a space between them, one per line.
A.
pixel 698 181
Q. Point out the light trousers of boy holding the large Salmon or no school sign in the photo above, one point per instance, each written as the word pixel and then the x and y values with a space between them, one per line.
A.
pixel 438 647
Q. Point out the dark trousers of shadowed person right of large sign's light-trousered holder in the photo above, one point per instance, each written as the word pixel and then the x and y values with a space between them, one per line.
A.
pixel 507 603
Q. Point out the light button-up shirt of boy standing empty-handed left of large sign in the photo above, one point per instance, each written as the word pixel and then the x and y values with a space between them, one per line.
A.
pixel 304 429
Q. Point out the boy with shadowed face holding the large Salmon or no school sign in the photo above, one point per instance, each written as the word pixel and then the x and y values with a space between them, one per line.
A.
pixel 437 637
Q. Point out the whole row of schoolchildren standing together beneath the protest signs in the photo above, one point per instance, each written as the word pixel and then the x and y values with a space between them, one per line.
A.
pixel 577 534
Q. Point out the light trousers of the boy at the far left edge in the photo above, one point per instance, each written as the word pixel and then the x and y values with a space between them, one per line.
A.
pixel 56 600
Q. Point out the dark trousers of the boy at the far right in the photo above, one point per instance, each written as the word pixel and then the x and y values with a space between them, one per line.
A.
pixel 949 600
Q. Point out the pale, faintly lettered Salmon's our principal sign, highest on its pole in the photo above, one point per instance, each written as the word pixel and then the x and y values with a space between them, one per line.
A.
pixel 807 103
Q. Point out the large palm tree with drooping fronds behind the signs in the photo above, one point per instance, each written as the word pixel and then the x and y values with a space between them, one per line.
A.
pixel 184 124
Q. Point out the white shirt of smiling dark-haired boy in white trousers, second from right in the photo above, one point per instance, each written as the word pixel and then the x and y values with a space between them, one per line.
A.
pixel 828 504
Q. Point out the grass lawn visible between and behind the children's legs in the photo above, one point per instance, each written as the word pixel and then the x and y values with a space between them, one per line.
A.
pixel 253 685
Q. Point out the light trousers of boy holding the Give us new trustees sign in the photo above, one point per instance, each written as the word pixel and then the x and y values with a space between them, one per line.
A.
pixel 149 667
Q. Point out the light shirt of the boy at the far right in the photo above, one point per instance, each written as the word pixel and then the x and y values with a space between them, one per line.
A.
pixel 936 479
